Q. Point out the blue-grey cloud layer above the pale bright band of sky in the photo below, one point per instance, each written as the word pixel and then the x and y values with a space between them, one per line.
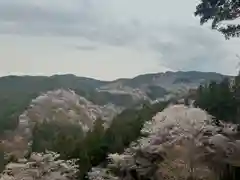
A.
pixel 170 33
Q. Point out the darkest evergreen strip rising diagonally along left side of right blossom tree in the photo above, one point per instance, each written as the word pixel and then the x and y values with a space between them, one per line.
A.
pixel 125 128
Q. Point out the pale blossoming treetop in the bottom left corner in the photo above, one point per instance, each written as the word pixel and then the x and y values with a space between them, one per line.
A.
pixel 42 166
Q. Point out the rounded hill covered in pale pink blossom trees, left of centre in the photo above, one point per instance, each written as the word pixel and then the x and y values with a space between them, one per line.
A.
pixel 62 108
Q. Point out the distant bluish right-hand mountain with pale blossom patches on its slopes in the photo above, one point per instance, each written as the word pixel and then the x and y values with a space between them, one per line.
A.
pixel 160 86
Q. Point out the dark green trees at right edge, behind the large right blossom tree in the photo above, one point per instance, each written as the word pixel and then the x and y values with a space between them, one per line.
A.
pixel 220 100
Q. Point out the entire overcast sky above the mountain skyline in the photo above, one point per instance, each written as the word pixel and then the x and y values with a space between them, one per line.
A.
pixel 109 39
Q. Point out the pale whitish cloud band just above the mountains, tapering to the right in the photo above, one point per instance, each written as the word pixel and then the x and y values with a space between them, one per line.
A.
pixel 54 55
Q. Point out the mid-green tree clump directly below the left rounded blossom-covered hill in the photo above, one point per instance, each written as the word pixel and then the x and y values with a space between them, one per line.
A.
pixel 57 137
